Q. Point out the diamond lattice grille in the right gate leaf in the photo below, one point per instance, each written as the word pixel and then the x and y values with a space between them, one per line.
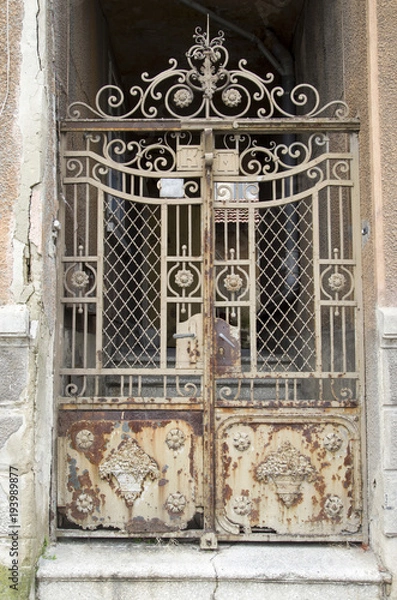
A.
pixel 285 290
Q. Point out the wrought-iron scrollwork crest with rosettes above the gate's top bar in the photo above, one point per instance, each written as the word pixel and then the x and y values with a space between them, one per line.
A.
pixel 206 89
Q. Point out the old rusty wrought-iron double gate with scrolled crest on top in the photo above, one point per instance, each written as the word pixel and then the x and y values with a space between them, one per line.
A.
pixel 211 369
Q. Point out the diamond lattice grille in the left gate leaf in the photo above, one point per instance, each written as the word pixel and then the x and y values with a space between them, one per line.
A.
pixel 131 327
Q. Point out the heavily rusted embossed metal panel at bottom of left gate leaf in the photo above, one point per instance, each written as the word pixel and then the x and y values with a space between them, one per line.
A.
pixel 140 472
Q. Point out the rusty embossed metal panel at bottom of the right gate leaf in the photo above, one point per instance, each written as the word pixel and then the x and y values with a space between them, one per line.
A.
pixel 289 475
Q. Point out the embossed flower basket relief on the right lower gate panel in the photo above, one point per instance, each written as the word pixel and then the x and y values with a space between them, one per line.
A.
pixel 287 468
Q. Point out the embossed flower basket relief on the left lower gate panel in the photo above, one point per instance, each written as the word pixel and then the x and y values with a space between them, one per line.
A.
pixel 131 467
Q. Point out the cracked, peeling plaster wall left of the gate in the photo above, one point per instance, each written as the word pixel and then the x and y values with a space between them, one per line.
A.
pixel 27 275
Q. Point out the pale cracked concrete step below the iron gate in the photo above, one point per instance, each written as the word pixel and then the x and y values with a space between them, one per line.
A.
pixel 118 570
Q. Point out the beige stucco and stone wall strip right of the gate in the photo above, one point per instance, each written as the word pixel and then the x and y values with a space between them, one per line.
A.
pixel 382 54
